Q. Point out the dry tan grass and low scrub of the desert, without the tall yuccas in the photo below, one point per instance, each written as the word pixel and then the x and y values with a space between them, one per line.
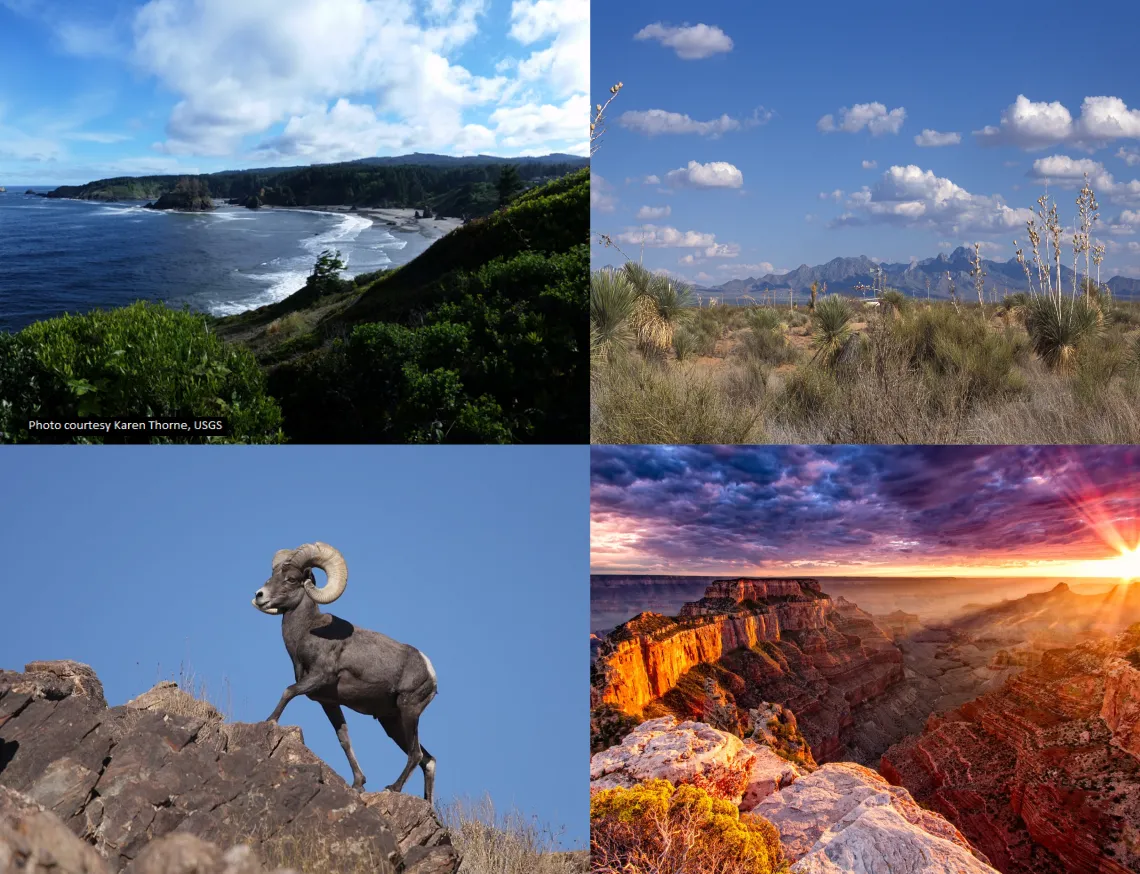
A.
pixel 914 373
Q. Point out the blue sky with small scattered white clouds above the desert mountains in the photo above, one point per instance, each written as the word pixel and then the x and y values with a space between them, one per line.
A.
pixel 756 137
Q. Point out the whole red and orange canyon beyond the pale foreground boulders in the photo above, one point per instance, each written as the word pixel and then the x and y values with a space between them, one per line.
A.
pixel 1016 721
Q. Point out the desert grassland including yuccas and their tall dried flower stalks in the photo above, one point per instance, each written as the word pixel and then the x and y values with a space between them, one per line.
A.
pixel 1060 364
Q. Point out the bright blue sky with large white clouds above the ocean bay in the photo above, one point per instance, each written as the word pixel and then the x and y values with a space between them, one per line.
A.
pixel 108 88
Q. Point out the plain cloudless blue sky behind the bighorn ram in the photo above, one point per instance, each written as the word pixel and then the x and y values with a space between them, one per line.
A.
pixel 135 561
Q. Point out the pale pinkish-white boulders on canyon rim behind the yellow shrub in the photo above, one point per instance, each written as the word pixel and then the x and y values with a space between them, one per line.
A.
pixel 838 818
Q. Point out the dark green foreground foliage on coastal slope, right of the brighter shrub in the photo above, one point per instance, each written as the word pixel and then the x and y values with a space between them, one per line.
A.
pixel 502 364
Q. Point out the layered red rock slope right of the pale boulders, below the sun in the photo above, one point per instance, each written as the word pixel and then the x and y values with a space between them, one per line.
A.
pixel 1043 775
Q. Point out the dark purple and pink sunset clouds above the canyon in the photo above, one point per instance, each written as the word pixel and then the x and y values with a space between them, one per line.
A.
pixel 850 505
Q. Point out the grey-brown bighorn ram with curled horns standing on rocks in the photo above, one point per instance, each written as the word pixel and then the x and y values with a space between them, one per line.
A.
pixel 337 664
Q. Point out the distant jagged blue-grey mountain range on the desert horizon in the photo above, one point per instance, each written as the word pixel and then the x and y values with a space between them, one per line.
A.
pixel 843 275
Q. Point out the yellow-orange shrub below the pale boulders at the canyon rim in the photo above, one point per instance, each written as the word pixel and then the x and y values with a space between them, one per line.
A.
pixel 655 828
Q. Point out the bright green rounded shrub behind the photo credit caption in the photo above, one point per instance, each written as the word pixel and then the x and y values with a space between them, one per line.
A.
pixel 139 362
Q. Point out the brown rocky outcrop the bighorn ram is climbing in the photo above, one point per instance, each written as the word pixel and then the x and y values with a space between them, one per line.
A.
pixel 164 785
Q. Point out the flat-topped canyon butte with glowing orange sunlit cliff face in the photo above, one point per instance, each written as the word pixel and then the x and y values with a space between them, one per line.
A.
pixel 745 643
